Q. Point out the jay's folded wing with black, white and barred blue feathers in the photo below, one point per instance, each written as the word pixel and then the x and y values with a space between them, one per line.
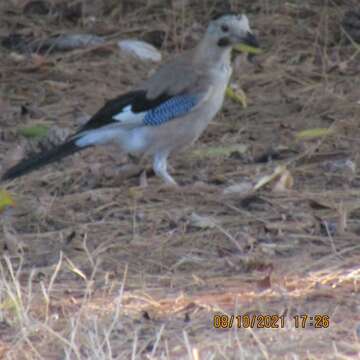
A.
pixel 160 99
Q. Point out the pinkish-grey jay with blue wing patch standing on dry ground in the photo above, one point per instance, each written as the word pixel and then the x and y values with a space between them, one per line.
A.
pixel 165 113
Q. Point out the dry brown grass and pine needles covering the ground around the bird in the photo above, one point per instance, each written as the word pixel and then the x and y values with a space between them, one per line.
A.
pixel 93 267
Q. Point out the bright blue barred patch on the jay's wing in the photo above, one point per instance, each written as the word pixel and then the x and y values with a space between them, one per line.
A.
pixel 170 109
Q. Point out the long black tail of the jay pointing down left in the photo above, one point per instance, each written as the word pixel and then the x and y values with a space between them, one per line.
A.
pixel 39 160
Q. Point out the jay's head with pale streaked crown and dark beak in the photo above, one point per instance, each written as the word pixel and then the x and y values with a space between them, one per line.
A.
pixel 231 29
